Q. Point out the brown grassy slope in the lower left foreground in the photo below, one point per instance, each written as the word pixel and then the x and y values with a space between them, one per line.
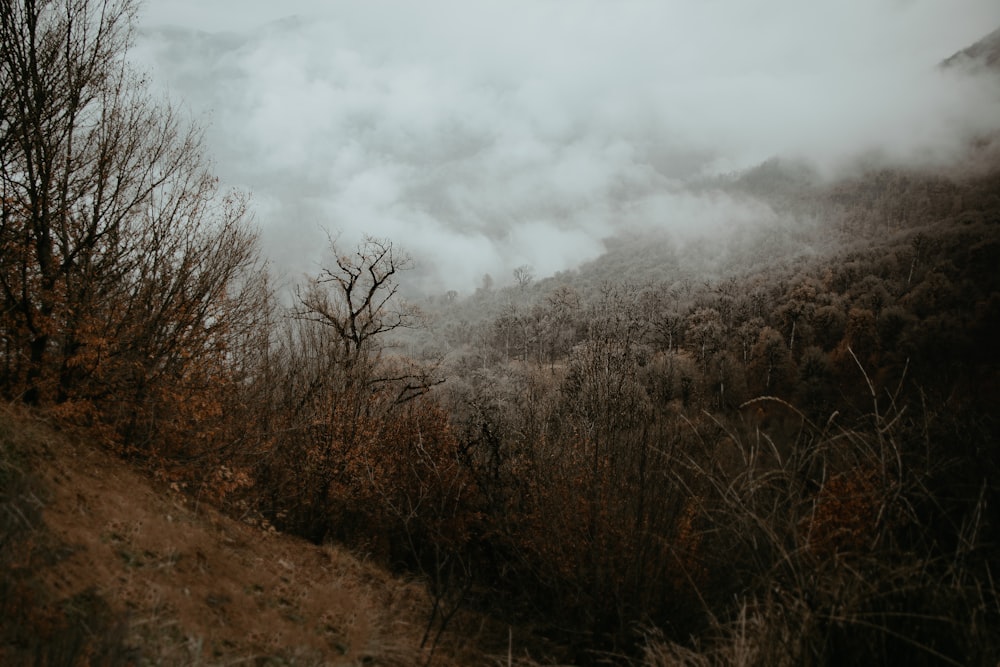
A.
pixel 99 566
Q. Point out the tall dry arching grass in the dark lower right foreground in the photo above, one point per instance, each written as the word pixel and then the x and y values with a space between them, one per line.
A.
pixel 856 547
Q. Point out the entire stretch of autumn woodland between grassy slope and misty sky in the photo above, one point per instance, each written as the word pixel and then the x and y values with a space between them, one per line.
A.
pixel 777 447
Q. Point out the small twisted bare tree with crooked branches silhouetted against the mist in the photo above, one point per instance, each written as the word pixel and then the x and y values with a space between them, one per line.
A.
pixel 340 397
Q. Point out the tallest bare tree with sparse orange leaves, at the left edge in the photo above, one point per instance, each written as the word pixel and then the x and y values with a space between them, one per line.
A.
pixel 122 265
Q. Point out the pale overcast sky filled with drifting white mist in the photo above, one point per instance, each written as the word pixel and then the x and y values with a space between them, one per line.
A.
pixel 483 135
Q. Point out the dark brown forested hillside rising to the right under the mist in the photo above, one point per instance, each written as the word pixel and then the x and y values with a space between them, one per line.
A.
pixel 741 444
